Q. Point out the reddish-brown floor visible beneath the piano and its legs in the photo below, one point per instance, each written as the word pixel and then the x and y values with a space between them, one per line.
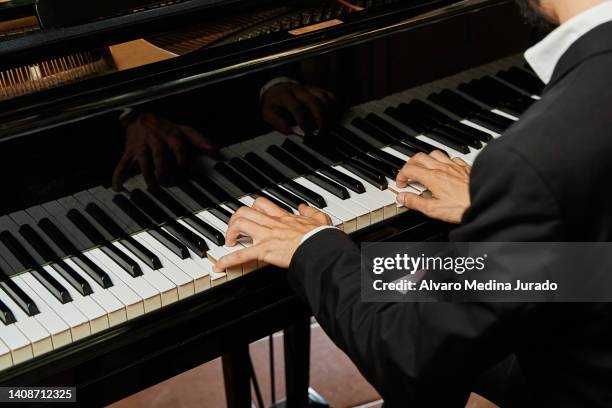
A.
pixel 332 375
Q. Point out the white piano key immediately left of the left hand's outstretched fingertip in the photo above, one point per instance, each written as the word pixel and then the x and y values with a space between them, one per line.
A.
pixel 189 269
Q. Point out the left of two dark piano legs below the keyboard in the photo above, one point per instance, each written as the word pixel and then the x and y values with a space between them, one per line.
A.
pixel 237 377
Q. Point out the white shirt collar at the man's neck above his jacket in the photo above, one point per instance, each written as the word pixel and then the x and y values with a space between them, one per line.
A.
pixel 544 56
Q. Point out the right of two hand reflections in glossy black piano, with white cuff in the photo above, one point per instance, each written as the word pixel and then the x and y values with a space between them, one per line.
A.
pixel 291 107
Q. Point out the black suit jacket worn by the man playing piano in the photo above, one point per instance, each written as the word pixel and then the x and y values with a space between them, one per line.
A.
pixel 546 179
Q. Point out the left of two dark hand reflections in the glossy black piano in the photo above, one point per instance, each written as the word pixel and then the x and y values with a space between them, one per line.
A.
pixel 158 147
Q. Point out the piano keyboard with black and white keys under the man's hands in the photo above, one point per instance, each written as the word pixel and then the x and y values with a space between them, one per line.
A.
pixel 73 267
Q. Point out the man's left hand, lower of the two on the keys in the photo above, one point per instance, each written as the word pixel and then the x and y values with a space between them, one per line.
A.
pixel 276 234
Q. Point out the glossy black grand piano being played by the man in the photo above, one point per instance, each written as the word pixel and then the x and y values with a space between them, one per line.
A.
pixel 113 292
